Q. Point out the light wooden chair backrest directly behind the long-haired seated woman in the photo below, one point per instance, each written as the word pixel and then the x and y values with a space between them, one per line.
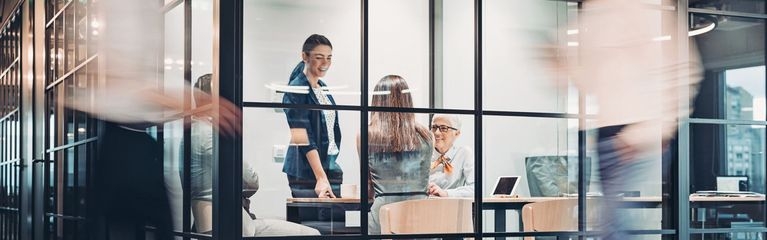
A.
pixel 433 215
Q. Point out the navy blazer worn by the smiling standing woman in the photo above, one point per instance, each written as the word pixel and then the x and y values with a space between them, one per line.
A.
pixel 296 164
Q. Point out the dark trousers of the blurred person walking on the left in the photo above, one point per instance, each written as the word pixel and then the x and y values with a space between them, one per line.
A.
pixel 128 189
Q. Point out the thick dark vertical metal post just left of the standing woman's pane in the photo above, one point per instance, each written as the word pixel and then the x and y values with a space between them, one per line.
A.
pixel 227 167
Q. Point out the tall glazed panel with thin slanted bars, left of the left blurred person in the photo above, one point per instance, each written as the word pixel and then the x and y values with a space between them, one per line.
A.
pixel 72 69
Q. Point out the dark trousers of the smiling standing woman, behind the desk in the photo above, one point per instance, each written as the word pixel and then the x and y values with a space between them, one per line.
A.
pixel 304 188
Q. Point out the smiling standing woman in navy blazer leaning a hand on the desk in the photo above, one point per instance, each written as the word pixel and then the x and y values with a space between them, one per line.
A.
pixel 311 167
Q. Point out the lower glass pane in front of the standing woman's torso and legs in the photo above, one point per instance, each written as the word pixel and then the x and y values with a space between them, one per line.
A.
pixel 277 145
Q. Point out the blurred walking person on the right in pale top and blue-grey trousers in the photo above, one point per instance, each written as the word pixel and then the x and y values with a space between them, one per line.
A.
pixel 639 78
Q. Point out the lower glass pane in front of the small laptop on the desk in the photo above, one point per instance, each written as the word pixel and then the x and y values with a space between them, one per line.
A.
pixel 541 152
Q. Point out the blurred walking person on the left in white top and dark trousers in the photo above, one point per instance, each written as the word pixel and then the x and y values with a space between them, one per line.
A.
pixel 128 187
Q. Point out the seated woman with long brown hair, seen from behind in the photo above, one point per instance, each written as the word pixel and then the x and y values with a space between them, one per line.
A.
pixel 399 149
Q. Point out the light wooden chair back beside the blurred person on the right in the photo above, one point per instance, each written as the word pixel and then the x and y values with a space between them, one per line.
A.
pixel 558 215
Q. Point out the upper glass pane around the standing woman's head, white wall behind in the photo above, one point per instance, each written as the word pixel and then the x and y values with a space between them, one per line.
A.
pixel 274 33
